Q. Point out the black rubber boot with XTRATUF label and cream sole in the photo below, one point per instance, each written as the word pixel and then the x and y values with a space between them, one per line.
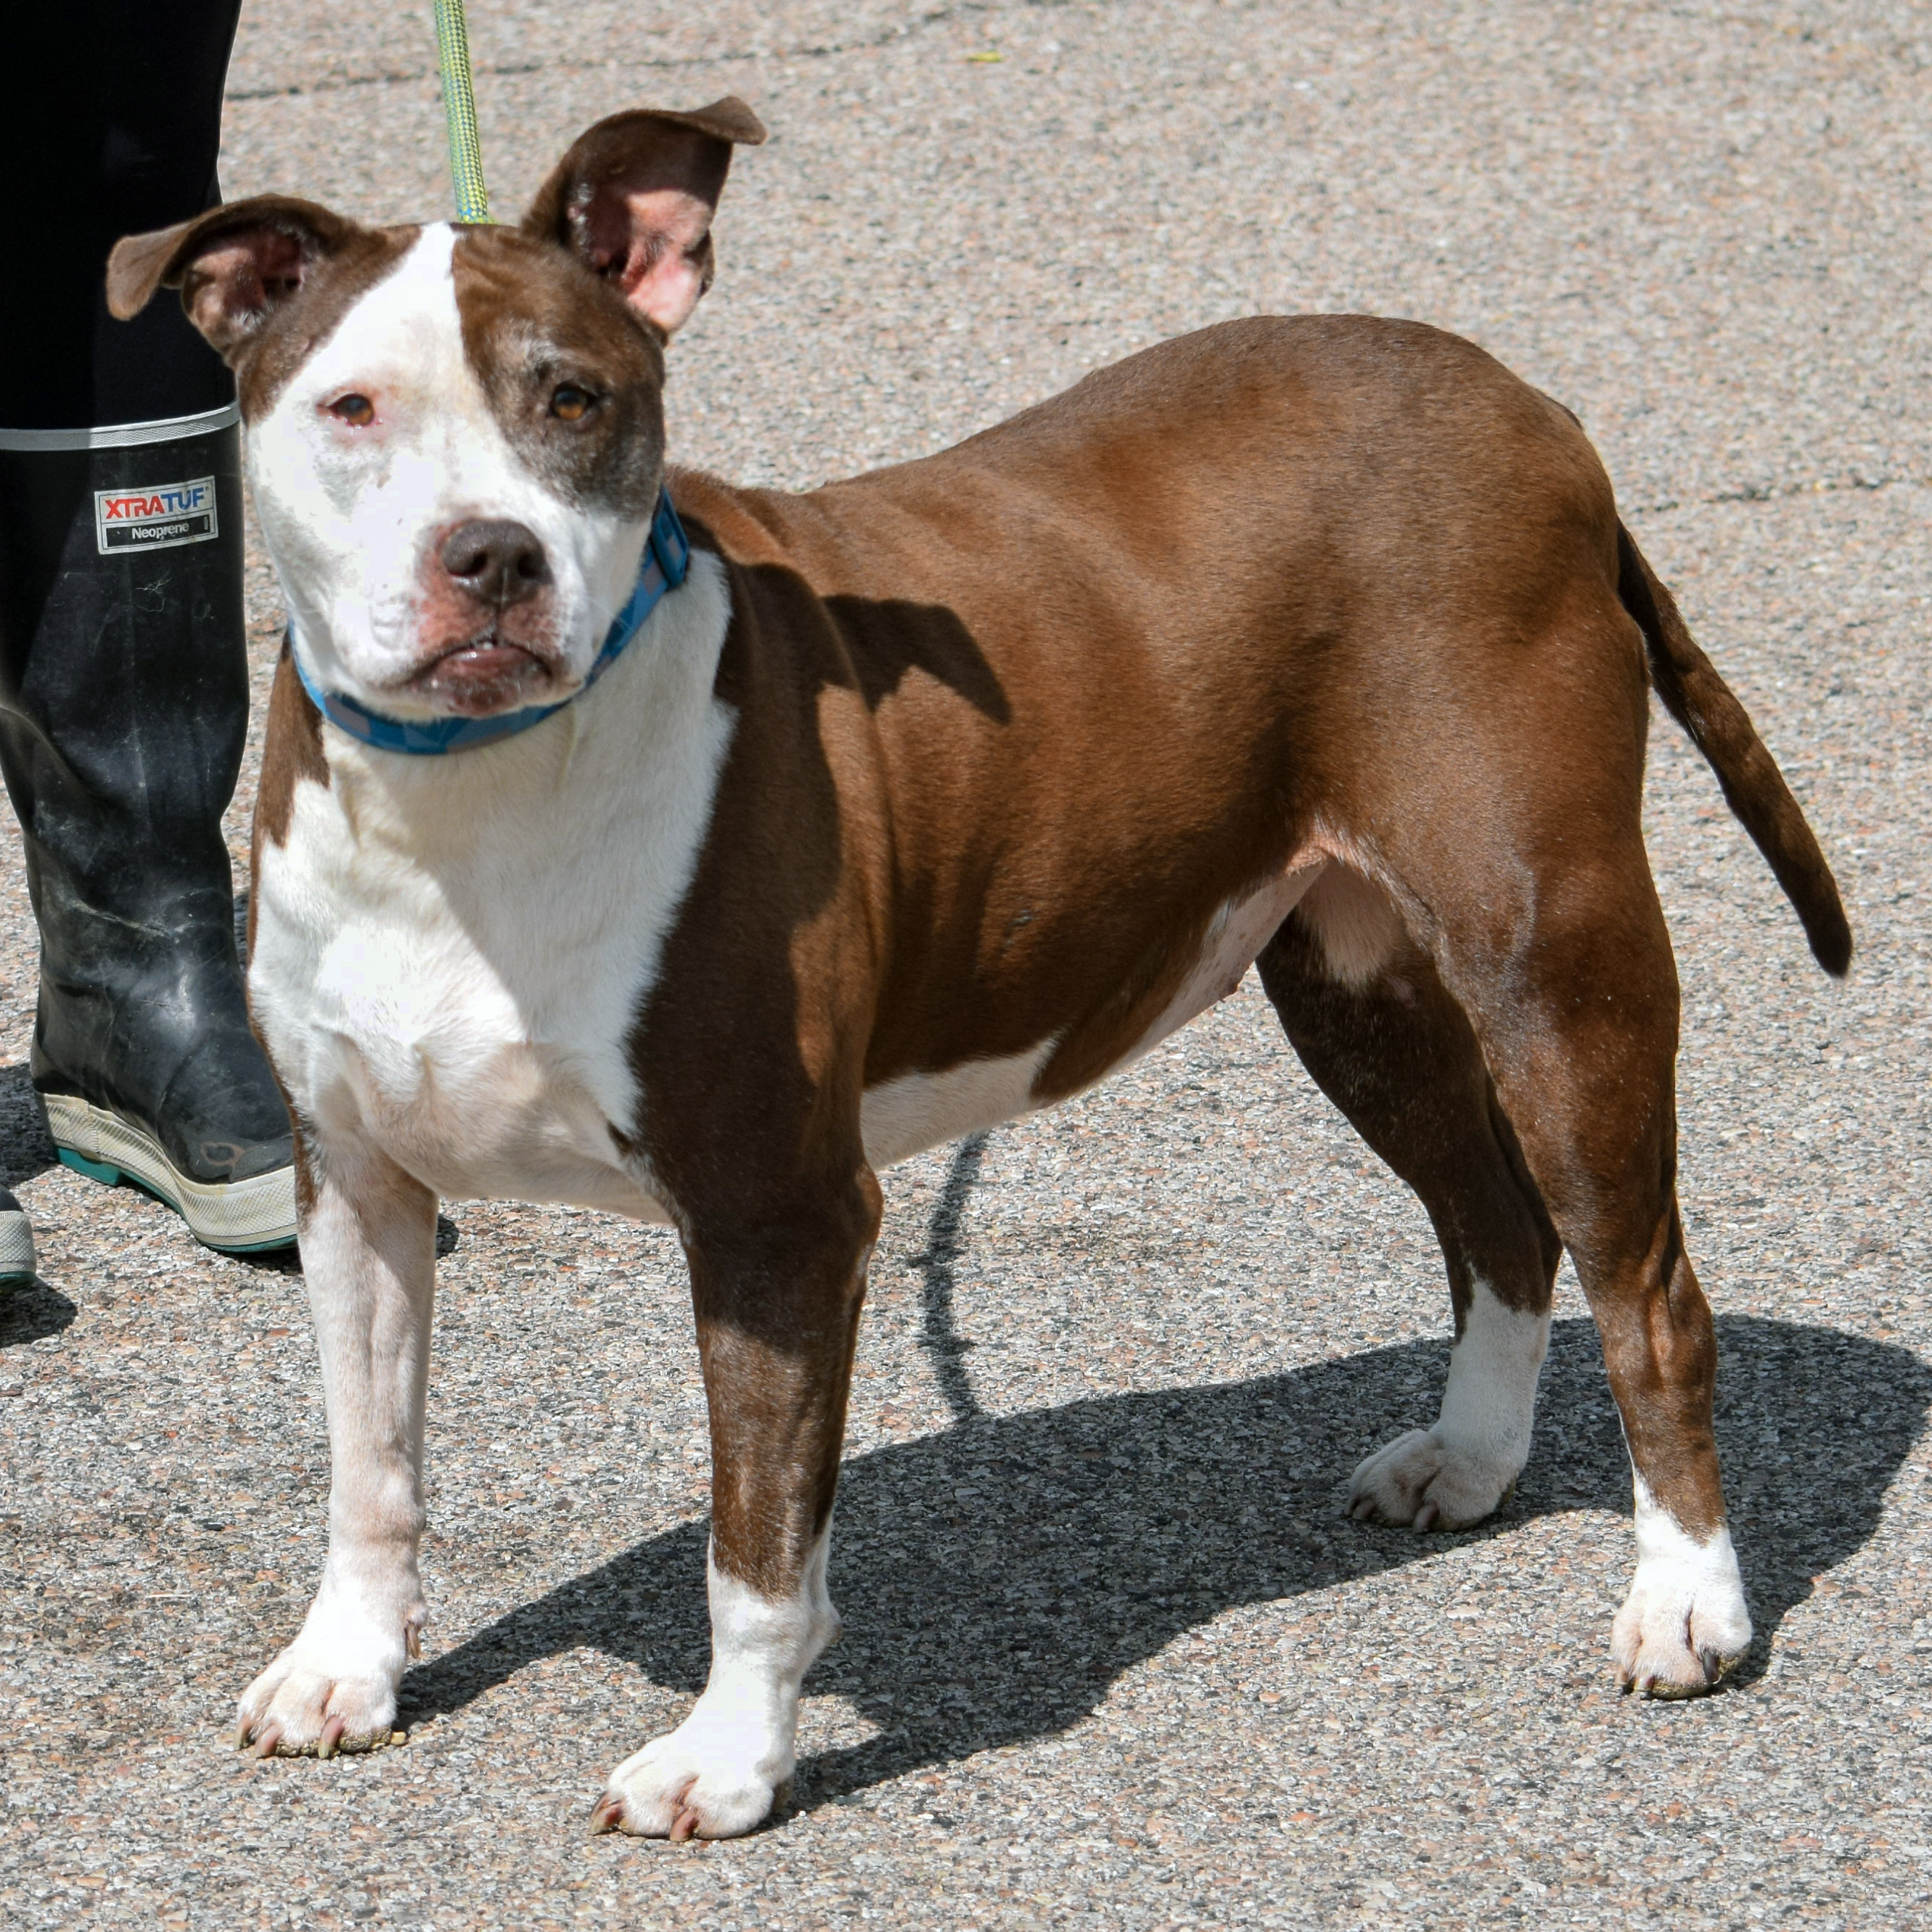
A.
pixel 123 720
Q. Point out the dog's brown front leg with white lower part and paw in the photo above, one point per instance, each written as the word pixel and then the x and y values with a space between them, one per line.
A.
pixel 778 1321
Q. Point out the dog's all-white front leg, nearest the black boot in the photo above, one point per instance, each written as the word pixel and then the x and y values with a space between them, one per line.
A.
pixel 370 1257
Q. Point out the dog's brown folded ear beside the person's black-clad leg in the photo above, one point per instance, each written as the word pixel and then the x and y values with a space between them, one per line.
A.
pixel 233 266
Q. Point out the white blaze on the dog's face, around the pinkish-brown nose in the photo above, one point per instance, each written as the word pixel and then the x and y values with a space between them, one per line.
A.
pixel 355 515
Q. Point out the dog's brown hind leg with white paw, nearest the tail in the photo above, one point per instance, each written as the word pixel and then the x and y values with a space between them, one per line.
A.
pixel 1548 932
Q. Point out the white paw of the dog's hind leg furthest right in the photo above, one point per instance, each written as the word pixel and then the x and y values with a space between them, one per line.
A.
pixel 1684 1624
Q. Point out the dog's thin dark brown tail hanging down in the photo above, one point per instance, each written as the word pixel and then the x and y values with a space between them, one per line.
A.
pixel 1753 785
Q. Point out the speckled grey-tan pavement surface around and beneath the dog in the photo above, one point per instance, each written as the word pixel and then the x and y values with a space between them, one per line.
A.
pixel 1114 1659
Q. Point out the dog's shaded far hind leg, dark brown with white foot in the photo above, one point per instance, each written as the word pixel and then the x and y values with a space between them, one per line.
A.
pixel 1377 1029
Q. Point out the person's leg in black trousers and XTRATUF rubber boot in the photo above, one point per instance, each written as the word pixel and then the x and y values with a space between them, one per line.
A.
pixel 123 652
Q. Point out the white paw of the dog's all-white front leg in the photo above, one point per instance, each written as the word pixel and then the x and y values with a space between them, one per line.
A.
pixel 331 1690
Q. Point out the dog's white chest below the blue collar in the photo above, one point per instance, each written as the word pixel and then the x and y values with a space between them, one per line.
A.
pixel 451 953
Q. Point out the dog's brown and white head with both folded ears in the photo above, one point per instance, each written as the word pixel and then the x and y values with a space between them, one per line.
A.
pixel 455 436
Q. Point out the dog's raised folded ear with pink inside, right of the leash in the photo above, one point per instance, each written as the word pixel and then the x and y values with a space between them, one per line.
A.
pixel 635 200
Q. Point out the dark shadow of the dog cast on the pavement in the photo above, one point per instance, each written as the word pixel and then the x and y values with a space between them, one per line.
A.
pixel 1000 1577
